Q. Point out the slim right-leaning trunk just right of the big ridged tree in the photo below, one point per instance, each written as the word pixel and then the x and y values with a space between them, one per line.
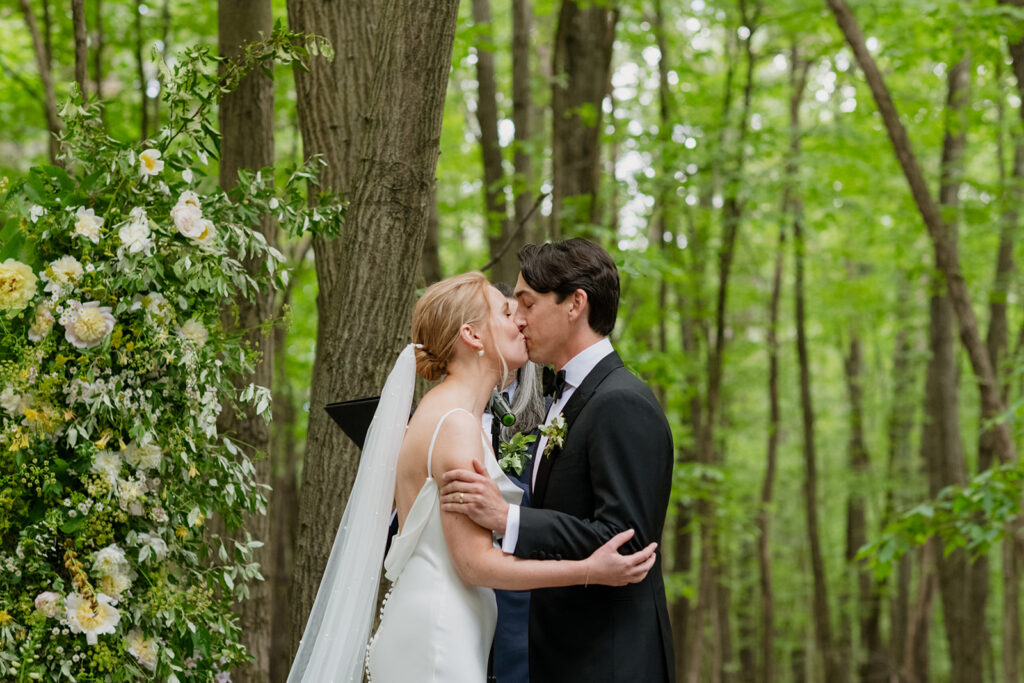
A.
pixel 496 212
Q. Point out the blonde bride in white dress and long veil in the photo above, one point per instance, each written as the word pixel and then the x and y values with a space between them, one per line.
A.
pixel 439 619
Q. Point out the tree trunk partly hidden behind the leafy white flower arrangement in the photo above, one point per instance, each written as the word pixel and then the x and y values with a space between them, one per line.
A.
pixel 247 143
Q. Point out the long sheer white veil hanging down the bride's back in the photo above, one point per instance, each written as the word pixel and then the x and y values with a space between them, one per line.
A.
pixel 334 643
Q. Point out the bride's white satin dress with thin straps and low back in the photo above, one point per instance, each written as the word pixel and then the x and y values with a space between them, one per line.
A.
pixel 434 627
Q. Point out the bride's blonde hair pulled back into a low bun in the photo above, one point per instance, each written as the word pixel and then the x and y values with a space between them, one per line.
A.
pixel 439 316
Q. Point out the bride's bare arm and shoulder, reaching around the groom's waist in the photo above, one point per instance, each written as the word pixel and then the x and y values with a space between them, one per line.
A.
pixel 480 564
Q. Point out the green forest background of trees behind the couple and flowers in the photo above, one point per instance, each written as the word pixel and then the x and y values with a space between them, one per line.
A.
pixel 816 214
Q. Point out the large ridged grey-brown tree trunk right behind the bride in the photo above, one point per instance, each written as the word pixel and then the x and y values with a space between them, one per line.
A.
pixel 381 143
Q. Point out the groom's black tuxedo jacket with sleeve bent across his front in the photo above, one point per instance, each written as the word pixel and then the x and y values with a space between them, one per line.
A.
pixel 614 473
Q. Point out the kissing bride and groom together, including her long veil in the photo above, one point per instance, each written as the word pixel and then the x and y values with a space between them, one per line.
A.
pixel 601 484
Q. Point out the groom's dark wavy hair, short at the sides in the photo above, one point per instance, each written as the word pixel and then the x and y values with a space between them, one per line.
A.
pixel 564 268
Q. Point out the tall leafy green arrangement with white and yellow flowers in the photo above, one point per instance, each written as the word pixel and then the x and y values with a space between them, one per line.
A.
pixel 115 366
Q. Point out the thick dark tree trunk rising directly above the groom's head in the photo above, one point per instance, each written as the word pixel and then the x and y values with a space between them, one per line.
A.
pixel 584 42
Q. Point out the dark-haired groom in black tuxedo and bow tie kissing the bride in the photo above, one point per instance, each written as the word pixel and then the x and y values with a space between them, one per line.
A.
pixel 612 473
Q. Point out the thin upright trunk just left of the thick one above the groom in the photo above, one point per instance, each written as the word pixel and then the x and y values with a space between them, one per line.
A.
pixel 524 113
